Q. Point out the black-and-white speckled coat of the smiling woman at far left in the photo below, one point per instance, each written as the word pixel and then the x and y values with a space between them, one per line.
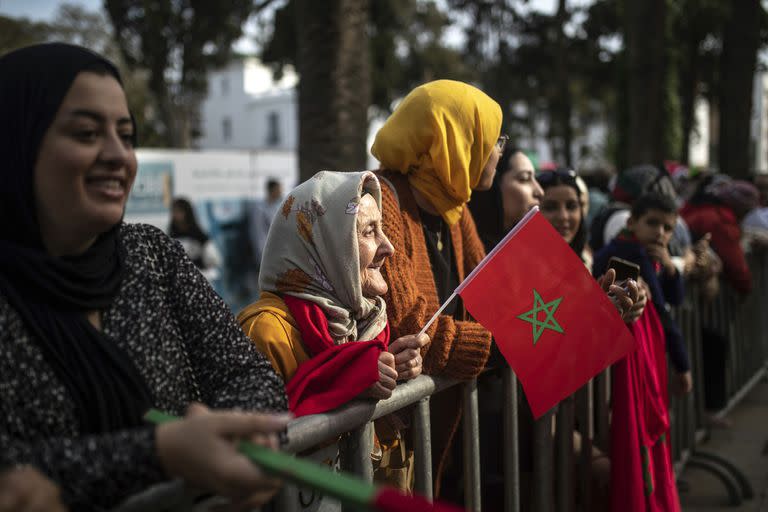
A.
pixel 185 343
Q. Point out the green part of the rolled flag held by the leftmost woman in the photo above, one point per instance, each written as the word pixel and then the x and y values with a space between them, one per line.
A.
pixel 345 488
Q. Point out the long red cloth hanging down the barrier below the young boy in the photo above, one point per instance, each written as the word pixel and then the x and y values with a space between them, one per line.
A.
pixel 642 478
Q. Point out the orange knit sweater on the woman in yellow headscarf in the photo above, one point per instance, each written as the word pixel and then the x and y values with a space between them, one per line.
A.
pixel 458 349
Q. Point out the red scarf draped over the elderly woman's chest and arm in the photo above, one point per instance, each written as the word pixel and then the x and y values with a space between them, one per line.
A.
pixel 334 374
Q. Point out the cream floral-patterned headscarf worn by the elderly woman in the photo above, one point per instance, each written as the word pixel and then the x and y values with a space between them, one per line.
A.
pixel 312 253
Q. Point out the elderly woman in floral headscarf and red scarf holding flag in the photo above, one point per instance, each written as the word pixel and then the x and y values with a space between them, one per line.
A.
pixel 321 289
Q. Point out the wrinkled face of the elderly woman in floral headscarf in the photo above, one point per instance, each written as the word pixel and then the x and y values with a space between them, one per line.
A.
pixel 373 247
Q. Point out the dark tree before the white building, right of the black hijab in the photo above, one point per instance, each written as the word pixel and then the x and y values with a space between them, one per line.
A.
pixel 177 42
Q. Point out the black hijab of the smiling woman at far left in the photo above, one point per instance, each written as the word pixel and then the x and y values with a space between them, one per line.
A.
pixel 53 294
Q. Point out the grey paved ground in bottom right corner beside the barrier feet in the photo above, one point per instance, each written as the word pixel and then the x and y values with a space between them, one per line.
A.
pixel 745 444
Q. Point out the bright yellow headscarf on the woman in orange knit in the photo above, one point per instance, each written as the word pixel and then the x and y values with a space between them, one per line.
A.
pixel 441 136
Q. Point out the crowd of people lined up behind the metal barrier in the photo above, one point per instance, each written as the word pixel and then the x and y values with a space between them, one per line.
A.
pixel 101 320
